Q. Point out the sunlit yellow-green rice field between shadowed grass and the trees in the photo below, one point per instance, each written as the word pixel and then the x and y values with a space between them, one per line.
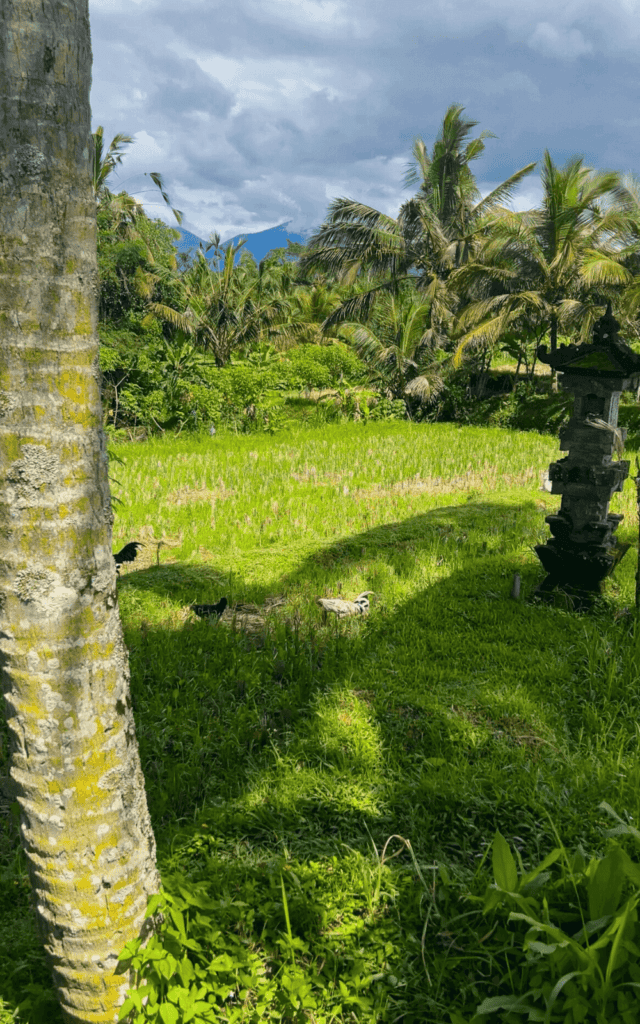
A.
pixel 257 505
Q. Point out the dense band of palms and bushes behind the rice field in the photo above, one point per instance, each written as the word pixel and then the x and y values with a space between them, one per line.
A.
pixel 407 311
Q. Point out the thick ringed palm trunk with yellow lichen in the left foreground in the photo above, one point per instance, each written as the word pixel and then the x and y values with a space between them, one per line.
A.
pixel 75 767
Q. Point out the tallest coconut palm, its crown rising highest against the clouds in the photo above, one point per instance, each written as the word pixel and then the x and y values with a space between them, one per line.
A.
pixel 435 233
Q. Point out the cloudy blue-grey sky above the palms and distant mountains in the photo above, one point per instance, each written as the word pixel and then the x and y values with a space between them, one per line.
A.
pixel 261 112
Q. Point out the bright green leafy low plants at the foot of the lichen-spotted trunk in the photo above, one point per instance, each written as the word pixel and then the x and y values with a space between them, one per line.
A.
pixel 215 957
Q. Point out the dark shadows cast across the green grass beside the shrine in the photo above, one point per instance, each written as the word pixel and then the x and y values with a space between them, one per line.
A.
pixel 468 703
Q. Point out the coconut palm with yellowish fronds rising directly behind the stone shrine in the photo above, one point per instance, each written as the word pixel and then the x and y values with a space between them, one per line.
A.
pixel 558 265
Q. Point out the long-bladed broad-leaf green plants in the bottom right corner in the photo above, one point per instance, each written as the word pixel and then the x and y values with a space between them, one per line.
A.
pixel 580 956
